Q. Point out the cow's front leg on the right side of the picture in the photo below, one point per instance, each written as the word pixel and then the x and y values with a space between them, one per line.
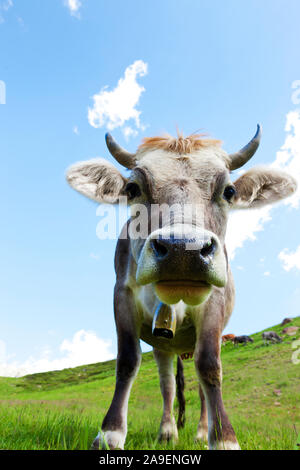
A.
pixel 208 366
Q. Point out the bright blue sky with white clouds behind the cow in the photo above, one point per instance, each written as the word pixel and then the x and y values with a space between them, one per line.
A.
pixel 216 66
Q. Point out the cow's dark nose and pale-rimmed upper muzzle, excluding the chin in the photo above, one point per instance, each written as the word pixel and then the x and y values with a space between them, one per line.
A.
pixel 182 254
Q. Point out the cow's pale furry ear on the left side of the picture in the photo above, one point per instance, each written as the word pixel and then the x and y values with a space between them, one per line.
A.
pixel 97 179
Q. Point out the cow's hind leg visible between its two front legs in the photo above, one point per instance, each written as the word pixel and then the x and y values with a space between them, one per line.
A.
pixel 168 428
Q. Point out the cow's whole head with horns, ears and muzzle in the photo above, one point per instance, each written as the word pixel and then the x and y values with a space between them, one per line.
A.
pixel 182 255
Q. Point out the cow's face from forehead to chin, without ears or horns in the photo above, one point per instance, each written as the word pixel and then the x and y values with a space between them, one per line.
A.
pixel 187 198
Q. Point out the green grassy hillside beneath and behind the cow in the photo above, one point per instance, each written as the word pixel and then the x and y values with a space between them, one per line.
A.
pixel 64 409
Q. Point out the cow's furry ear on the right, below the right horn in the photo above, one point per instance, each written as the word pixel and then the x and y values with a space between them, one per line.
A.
pixel 260 186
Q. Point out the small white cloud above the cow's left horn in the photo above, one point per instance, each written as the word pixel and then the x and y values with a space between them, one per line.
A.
pixel 116 107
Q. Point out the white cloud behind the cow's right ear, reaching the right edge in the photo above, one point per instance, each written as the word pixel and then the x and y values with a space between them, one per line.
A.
pixel 244 225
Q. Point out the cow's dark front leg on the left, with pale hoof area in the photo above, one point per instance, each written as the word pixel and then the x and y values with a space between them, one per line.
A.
pixel 114 426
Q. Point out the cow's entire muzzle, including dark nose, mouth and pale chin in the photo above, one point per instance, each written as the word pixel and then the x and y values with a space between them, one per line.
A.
pixel 183 263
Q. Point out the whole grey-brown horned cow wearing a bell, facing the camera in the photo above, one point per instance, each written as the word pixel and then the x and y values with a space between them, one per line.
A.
pixel 174 288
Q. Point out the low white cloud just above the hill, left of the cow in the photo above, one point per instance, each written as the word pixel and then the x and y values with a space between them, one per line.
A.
pixel 84 348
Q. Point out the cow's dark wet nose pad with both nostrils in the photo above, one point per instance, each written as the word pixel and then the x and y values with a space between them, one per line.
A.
pixel 164 248
